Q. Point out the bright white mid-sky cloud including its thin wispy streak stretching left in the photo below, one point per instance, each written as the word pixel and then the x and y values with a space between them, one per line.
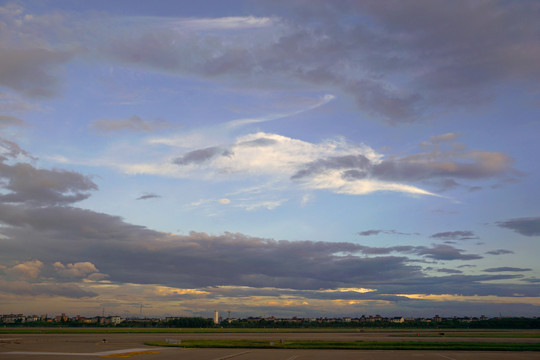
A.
pixel 275 158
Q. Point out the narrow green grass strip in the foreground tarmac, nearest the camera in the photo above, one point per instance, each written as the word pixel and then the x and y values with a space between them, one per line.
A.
pixel 353 345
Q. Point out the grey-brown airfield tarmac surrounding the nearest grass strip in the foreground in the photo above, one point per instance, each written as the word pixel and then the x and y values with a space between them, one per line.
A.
pixel 81 346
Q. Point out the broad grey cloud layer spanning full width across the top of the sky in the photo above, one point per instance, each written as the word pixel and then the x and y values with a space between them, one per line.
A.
pixel 449 55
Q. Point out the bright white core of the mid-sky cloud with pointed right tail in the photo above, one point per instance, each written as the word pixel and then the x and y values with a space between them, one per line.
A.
pixel 285 159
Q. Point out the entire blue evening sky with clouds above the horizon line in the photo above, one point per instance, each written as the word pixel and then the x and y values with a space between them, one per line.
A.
pixel 270 158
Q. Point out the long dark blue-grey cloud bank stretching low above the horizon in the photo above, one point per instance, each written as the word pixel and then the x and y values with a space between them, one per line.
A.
pixel 200 260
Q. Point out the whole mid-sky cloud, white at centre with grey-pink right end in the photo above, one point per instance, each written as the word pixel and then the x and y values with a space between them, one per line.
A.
pixel 334 165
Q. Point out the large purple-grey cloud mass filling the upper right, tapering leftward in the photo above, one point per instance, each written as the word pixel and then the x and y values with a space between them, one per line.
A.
pixel 449 54
